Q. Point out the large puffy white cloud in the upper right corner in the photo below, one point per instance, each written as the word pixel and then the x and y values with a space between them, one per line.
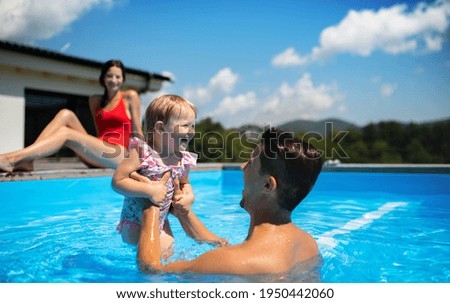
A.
pixel 391 30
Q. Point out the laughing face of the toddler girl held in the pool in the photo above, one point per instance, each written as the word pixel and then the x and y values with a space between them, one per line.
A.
pixel 180 130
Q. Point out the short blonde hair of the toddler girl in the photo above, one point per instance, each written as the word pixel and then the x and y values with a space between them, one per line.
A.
pixel 162 109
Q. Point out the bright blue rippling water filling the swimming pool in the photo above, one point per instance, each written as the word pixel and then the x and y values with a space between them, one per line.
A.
pixel 377 227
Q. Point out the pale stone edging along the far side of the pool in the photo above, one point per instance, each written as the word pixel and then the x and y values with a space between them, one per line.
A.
pixel 72 168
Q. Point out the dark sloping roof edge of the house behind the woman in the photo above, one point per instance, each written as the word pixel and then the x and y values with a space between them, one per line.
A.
pixel 44 53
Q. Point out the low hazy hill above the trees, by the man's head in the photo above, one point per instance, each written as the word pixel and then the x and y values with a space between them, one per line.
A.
pixel 316 126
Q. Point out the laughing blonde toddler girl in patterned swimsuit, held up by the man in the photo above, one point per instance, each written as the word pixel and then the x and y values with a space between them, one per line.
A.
pixel 157 171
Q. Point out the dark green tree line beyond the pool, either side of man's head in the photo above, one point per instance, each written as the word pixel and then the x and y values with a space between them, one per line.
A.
pixel 385 142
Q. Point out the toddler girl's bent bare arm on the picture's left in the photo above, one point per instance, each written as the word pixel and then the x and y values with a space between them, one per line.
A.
pixel 138 186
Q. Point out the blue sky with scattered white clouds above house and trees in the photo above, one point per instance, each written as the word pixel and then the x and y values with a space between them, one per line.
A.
pixel 263 61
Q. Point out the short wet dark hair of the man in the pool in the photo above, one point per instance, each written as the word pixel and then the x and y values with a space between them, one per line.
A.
pixel 293 163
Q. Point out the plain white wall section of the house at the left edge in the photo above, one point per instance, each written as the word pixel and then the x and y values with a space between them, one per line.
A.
pixel 12 123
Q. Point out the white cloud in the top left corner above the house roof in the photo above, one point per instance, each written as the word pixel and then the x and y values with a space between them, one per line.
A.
pixel 31 20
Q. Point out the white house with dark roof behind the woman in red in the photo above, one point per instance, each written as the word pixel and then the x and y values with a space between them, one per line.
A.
pixel 36 83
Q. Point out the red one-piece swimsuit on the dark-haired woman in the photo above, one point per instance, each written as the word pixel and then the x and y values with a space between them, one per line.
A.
pixel 114 126
